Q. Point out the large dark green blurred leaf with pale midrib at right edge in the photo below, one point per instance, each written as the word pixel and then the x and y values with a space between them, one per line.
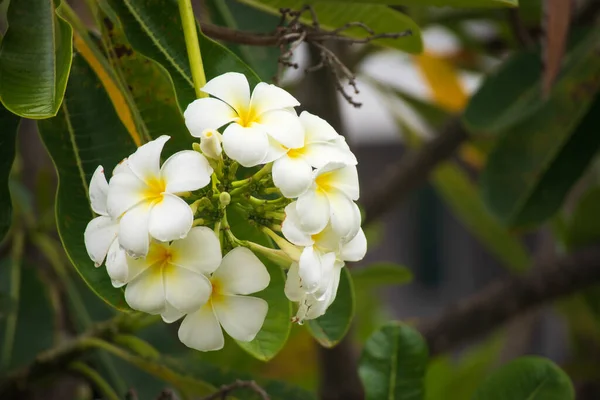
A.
pixel 536 161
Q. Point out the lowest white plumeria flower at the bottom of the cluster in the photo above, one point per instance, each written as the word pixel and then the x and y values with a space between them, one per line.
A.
pixel 241 273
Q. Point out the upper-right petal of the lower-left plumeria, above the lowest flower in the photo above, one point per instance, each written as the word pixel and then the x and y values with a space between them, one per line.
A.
pixel 200 251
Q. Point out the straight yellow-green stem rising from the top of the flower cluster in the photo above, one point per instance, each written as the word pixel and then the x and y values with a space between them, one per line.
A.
pixel 190 33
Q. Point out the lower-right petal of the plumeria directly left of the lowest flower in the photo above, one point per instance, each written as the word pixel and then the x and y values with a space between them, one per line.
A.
pixel 186 290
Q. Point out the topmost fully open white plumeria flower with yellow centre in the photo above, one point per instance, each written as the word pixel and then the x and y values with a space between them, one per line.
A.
pixel 260 124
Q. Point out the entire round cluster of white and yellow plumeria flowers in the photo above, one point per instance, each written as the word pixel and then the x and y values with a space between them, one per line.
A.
pixel 162 230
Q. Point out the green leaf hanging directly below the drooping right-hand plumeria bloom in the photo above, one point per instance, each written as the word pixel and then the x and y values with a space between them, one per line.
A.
pixel 331 328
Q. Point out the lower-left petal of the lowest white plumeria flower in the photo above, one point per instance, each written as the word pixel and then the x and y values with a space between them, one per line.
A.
pixel 201 330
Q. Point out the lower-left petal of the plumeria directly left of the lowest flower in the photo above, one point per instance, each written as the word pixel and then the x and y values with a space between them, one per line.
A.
pixel 147 292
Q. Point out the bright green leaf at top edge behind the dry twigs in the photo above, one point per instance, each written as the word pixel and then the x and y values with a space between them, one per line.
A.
pixel 379 18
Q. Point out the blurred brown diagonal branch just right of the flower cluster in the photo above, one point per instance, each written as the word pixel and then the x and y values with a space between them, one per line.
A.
pixel 412 170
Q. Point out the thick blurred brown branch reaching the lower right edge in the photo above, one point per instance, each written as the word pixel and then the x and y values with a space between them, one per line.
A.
pixel 503 300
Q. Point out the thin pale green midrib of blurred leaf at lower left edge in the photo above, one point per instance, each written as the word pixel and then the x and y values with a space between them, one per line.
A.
pixel 15 286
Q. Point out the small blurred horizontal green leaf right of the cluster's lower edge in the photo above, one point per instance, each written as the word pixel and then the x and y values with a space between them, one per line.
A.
pixel 380 274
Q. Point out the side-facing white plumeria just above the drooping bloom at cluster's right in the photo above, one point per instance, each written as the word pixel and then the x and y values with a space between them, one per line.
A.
pixel 321 251
